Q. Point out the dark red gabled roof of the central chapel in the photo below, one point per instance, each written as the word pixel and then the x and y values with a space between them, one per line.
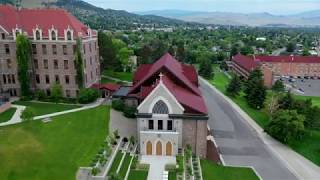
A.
pixel 182 82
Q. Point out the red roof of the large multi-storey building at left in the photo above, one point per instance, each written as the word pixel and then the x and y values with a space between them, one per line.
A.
pixel 45 19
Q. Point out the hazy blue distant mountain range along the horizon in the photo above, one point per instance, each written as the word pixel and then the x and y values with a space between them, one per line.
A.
pixel 309 18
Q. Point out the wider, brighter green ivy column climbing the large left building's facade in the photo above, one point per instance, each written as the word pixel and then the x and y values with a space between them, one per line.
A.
pixel 23 59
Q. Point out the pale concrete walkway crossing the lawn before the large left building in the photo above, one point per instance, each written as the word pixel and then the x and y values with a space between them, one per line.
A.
pixel 16 117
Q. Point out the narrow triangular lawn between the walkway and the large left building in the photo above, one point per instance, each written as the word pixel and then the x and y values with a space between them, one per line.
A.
pixel 46 108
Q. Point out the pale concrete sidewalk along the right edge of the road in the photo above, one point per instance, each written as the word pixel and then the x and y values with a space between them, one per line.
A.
pixel 297 164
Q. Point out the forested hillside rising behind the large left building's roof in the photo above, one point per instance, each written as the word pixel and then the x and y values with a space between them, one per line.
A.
pixel 99 18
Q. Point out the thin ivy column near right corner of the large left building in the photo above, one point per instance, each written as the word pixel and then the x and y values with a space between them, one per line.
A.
pixel 79 64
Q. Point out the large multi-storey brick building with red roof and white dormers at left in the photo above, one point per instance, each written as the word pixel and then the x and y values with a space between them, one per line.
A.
pixel 53 34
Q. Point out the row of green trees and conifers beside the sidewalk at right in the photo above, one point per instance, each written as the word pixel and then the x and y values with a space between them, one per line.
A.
pixel 289 117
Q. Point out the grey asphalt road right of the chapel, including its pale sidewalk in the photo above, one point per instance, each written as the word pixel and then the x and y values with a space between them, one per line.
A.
pixel 240 145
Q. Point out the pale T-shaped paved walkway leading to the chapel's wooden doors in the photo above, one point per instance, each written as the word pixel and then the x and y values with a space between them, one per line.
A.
pixel 157 165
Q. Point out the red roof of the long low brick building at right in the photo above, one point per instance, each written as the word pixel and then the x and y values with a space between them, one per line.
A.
pixel 251 62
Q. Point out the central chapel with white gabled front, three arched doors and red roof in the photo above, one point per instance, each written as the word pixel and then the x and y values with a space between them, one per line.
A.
pixel 171 110
